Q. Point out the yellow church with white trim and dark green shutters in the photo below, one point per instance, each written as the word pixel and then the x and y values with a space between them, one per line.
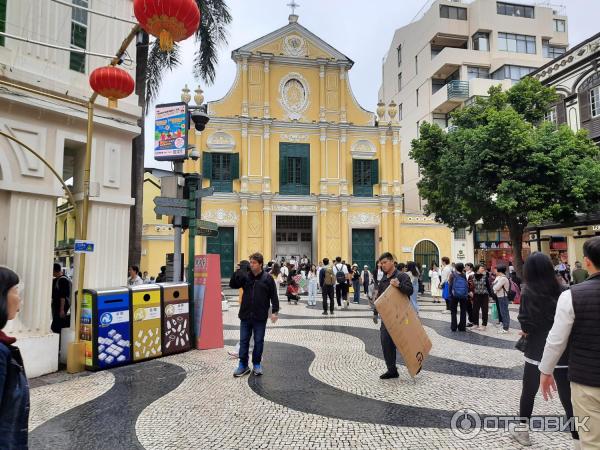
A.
pixel 299 167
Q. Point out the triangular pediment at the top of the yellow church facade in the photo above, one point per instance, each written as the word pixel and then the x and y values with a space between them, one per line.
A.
pixel 293 41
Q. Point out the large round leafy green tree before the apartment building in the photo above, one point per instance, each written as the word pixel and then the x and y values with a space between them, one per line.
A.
pixel 507 166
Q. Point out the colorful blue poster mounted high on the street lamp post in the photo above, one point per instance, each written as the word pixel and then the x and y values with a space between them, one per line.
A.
pixel 170 132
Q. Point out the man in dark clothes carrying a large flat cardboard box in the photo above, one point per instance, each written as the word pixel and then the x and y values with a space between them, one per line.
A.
pixel 400 280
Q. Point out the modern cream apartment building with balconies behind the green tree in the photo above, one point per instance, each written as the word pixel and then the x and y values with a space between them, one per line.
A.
pixel 454 52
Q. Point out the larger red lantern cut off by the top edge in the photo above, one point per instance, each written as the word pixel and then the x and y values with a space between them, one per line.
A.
pixel 169 20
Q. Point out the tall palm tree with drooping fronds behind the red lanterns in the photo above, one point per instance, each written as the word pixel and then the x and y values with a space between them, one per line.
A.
pixel 152 65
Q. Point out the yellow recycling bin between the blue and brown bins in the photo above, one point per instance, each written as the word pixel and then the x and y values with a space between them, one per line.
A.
pixel 145 312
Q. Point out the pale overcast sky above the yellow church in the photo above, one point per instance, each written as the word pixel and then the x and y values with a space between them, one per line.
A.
pixel 360 30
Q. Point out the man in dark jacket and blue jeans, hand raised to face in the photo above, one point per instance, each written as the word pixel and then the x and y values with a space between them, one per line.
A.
pixel 259 293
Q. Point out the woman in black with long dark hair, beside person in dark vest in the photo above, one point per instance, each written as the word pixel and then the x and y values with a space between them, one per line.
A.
pixel 536 316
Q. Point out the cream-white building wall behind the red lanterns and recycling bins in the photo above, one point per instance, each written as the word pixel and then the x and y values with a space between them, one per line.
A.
pixel 28 190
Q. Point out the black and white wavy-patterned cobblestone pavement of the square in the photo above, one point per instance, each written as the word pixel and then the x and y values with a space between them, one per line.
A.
pixel 321 389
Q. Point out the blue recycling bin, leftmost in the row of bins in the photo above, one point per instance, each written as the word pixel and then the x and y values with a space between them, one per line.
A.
pixel 106 327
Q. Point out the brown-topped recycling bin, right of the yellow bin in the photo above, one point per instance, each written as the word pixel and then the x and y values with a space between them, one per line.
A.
pixel 175 318
